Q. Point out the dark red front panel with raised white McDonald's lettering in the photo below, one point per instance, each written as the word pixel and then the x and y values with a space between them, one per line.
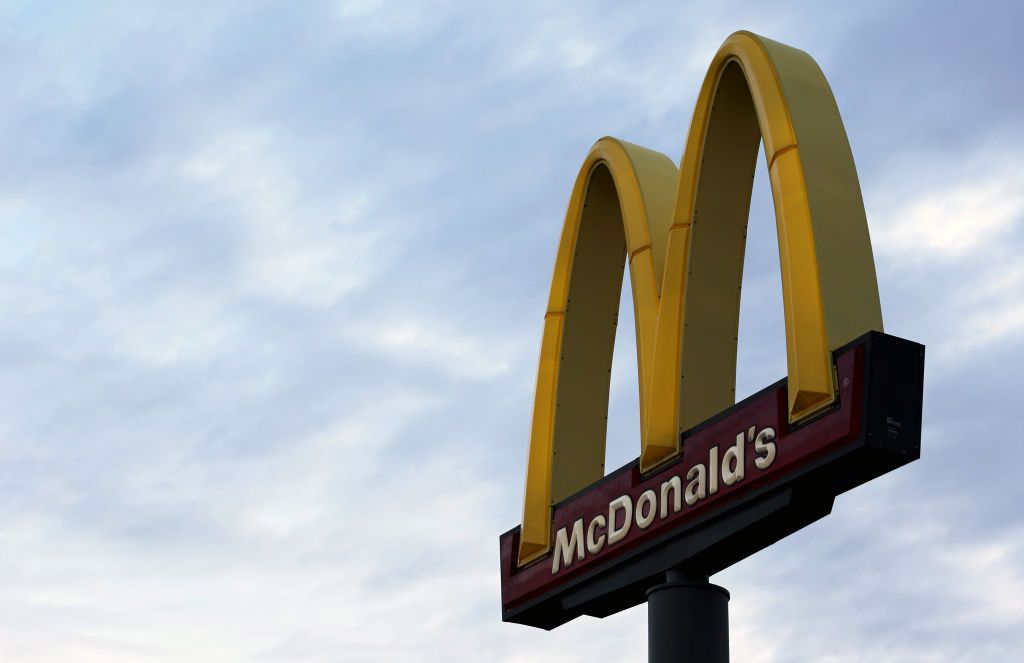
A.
pixel 722 462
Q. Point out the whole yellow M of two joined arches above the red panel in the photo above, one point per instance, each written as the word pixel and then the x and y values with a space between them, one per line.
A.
pixel 685 234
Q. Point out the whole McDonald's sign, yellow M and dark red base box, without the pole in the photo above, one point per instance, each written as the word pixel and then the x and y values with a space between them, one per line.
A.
pixel 715 481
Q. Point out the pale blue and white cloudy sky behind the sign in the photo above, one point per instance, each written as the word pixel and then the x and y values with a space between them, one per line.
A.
pixel 274 280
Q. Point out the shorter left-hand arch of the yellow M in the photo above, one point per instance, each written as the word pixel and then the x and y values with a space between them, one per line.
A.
pixel 621 205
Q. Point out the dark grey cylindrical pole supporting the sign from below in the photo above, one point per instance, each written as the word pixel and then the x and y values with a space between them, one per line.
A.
pixel 688 620
